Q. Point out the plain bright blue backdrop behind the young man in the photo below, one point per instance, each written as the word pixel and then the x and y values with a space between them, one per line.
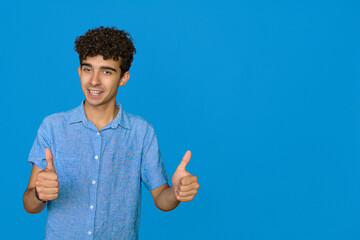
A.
pixel 264 93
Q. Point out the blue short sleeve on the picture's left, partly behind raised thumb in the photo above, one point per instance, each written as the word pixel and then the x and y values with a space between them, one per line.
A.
pixel 42 141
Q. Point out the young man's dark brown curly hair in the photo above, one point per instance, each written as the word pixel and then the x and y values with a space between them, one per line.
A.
pixel 108 42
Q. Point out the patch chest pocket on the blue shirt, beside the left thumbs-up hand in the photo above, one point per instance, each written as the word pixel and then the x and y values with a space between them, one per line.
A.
pixel 67 166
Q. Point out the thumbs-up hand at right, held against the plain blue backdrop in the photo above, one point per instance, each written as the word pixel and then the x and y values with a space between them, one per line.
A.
pixel 185 184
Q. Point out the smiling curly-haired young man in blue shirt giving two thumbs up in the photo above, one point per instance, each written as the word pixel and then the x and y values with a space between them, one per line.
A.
pixel 89 162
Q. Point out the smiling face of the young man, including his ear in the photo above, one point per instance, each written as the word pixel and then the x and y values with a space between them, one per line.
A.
pixel 100 80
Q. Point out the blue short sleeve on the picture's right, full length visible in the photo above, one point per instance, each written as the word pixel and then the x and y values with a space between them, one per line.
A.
pixel 153 173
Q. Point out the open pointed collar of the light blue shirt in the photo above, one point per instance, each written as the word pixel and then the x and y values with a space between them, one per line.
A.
pixel 121 118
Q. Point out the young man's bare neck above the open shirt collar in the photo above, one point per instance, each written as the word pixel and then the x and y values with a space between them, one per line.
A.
pixel 101 115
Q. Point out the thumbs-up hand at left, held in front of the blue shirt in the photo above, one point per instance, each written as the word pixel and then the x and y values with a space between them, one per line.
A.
pixel 46 182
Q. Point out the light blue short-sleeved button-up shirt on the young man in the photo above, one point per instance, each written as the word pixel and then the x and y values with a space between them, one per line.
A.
pixel 100 173
